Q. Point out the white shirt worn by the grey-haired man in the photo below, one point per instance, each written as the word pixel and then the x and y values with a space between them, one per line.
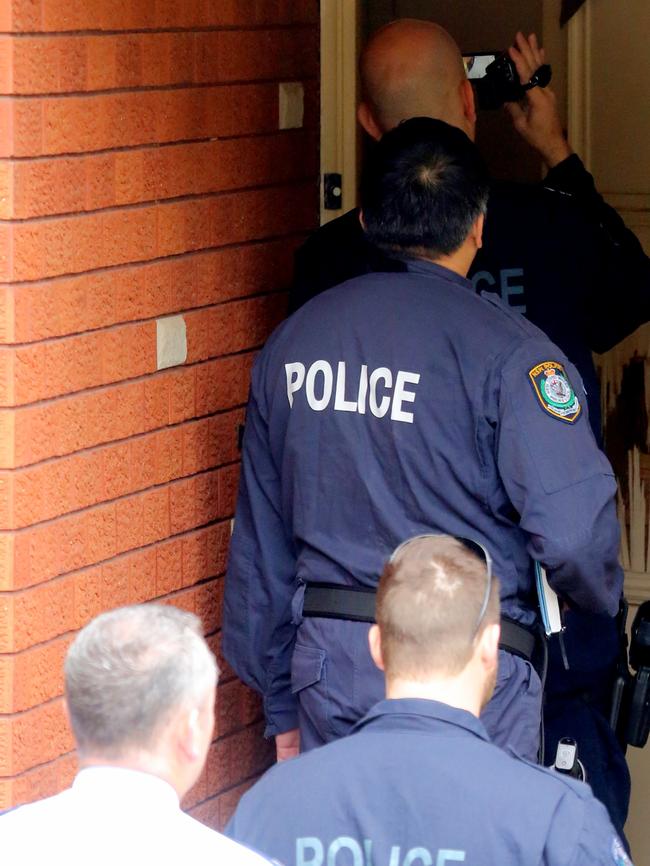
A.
pixel 114 817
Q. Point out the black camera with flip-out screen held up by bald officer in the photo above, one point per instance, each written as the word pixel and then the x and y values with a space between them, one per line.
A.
pixel 495 79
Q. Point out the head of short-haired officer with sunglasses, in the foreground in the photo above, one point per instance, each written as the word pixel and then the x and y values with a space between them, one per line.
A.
pixel 433 622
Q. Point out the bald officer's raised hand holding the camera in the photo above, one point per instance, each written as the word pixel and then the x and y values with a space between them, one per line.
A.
pixel 536 117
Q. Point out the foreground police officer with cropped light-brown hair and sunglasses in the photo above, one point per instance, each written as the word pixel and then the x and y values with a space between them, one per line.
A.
pixel 417 781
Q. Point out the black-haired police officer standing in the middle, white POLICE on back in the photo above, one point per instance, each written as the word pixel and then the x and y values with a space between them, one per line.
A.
pixel 400 403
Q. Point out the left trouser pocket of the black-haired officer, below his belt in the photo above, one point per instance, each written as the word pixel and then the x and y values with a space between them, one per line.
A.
pixel 309 685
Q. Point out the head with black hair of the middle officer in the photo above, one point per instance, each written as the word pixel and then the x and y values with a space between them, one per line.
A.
pixel 424 188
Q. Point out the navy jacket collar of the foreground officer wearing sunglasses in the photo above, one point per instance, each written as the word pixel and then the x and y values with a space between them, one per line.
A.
pixel 420 714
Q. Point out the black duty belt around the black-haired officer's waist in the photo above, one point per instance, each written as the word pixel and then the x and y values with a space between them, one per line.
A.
pixel 332 601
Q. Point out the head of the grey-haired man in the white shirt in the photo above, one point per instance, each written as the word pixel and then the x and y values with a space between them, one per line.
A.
pixel 138 681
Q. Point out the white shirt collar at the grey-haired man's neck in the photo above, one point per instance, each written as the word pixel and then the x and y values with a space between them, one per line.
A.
pixel 126 788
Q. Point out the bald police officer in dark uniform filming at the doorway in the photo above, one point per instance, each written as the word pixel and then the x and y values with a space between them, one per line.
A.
pixel 554 252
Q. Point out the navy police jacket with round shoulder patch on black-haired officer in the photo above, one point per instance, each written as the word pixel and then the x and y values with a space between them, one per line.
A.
pixel 398 404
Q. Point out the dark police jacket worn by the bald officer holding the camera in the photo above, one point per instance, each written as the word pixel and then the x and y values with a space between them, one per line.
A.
pixel 555 252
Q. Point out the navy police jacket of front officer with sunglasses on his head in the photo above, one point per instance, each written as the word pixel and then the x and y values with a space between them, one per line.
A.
pixel 417 783
